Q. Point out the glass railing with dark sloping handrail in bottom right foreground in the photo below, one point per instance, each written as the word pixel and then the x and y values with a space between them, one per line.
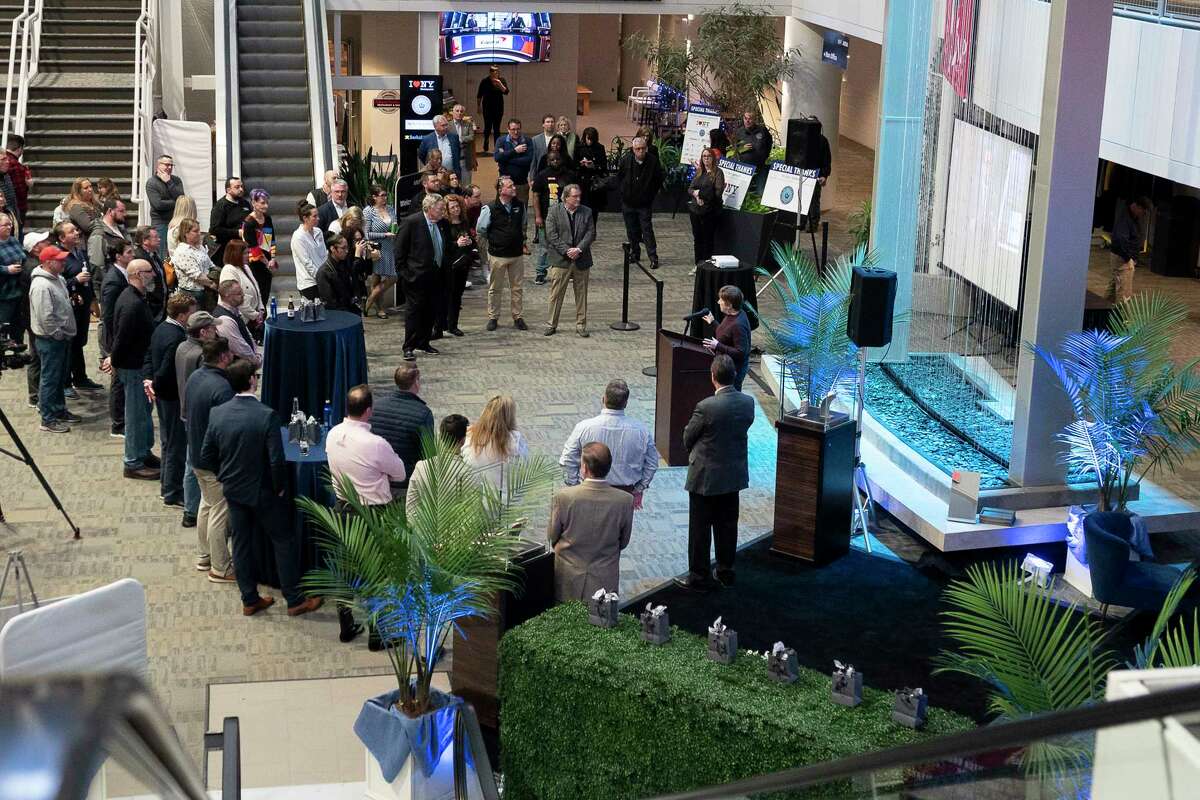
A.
pixel 1145 748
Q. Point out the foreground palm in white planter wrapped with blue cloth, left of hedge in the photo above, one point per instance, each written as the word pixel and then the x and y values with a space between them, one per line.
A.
pixel 413 575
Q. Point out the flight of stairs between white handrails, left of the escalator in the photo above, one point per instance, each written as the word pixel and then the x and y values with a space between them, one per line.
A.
pixel 80 119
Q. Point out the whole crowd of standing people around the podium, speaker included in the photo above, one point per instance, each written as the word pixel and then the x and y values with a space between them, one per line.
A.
pixel 182 312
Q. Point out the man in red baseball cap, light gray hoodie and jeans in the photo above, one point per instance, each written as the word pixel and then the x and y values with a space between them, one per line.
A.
pixel 53 324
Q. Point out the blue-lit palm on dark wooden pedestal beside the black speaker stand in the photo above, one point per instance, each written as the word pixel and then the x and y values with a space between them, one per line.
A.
pixel 818 447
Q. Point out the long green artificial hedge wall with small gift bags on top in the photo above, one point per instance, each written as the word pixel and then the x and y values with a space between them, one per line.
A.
pixel 591 713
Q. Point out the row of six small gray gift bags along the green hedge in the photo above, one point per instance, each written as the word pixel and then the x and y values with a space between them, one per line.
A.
pixel 910 708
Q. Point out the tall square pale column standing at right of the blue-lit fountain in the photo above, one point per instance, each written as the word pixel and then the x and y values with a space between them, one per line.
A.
pixel 1061 226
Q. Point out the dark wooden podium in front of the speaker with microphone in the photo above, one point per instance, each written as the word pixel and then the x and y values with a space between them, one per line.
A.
pixel 685 380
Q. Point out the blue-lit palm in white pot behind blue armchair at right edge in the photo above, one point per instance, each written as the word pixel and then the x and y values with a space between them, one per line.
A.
pixel 1136 411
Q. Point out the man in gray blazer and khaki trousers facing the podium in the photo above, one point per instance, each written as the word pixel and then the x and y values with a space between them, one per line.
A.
pixel 571 231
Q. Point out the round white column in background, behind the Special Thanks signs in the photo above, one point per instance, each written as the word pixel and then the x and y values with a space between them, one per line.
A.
pixel 813 91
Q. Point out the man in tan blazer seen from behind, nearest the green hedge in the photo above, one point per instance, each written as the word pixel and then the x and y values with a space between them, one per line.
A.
pixel 590 526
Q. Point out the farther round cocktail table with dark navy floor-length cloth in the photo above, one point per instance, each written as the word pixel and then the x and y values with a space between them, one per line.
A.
pixel 315 363
